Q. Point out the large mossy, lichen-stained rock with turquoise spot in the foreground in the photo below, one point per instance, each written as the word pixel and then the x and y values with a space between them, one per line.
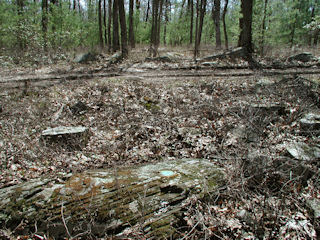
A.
pixel 110 202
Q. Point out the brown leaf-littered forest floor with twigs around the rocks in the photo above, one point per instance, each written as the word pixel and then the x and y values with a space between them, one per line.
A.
pixel 143 111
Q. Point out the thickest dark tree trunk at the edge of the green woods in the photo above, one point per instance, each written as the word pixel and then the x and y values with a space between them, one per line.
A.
pixel 245 38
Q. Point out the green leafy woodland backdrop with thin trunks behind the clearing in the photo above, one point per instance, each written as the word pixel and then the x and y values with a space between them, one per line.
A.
pixel 30 28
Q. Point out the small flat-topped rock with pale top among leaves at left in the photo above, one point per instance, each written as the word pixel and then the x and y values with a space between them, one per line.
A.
pixel 69 137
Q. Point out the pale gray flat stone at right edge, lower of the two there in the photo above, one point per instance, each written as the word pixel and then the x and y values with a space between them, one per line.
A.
pixel 303 151
